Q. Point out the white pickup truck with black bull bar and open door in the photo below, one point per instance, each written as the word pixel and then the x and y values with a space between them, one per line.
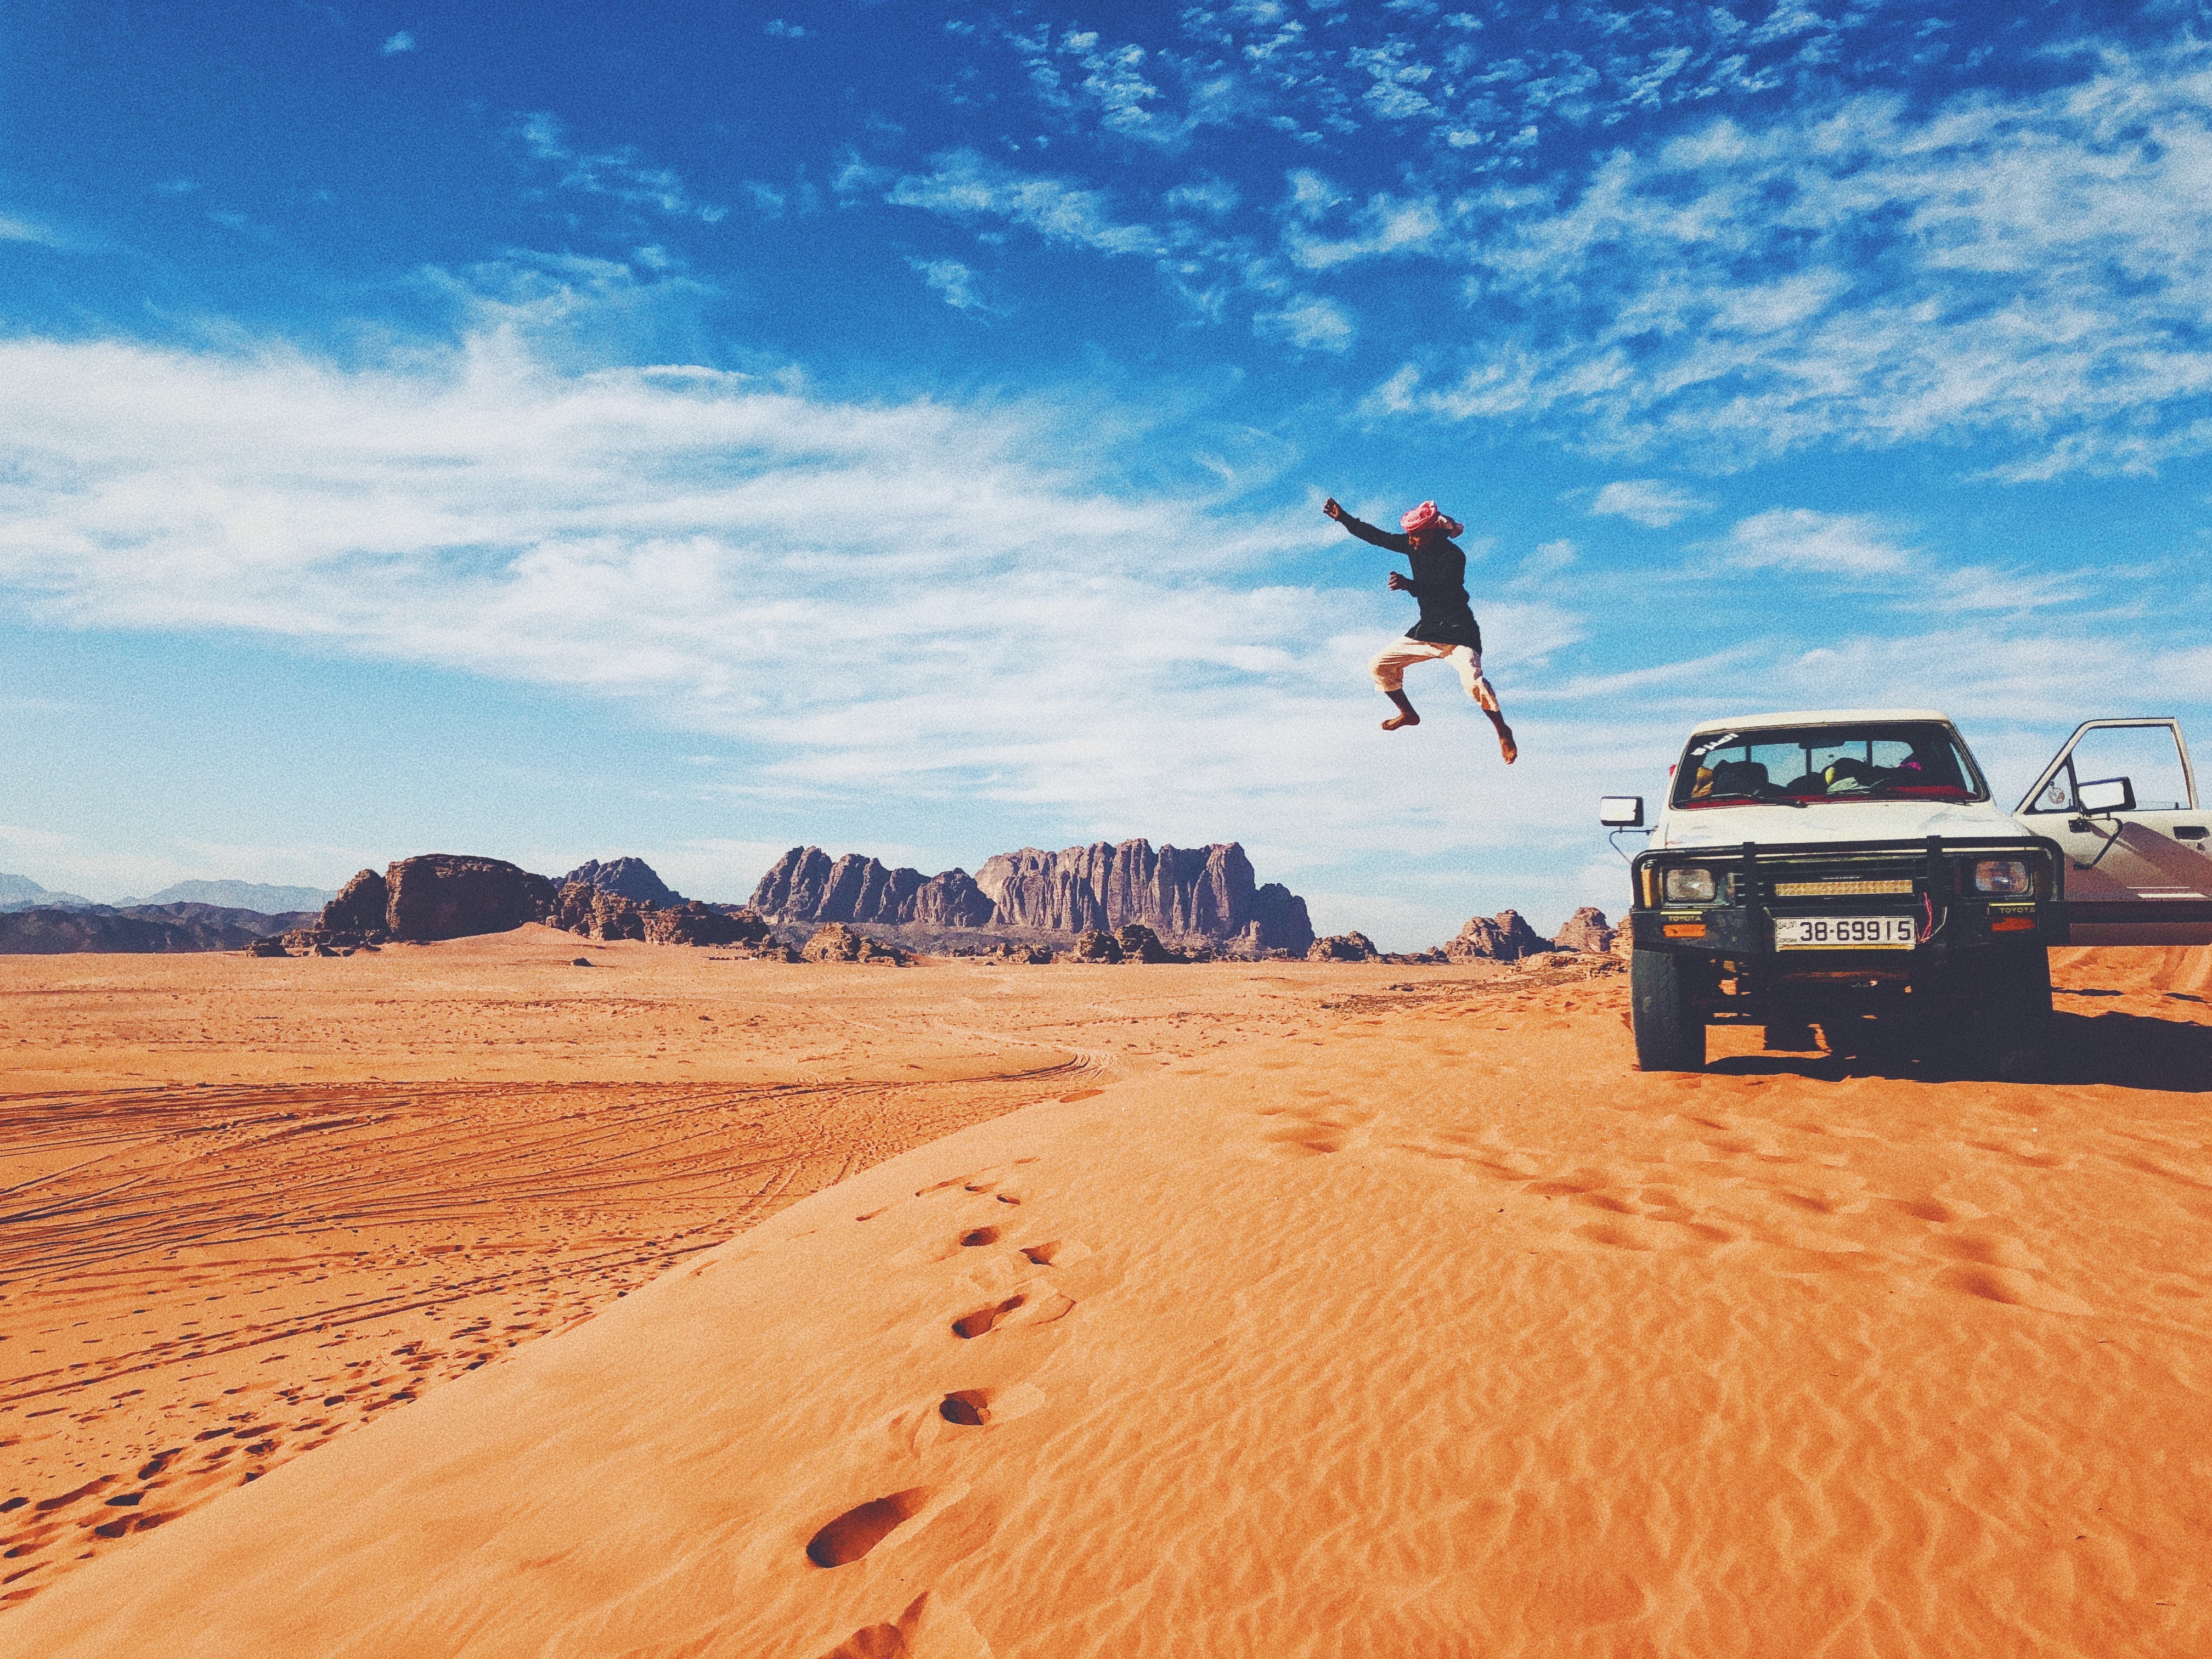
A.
pixel 1850 870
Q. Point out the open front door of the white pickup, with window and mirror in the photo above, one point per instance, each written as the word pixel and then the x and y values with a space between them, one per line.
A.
pixel 2138 857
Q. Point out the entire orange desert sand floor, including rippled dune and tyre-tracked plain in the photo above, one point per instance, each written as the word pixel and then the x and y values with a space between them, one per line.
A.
pixel 988 1311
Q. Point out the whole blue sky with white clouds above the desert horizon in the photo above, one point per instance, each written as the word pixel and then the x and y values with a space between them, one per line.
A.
pixel 563 430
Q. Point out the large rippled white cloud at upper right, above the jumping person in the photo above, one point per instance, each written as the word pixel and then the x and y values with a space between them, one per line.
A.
pixel 2032 269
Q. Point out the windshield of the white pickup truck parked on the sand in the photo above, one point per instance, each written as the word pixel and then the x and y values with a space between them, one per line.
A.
pixel 1853 762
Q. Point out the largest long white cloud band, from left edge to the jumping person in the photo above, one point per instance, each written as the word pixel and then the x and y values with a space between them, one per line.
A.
pixel 689 541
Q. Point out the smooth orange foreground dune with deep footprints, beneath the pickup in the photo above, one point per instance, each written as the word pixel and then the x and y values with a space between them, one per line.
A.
pixel 1415 1324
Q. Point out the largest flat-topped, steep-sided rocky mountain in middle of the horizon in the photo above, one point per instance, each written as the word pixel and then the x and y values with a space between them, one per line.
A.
pixel 1185 895
